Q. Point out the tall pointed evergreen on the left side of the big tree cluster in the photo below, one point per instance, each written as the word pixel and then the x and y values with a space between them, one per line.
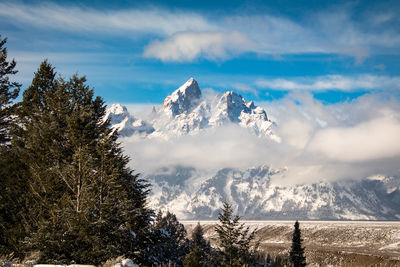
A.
pixel 37 139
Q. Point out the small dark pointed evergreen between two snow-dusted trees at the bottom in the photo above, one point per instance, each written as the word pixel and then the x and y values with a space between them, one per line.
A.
pixel 201 253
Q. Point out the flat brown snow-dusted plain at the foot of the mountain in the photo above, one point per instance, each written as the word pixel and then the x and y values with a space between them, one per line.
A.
pixel 335 243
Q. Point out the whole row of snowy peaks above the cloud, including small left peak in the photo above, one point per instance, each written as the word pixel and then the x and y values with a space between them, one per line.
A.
pixel 185 111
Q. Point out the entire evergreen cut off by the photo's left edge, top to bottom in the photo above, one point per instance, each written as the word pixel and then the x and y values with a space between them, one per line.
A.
pixel 12 187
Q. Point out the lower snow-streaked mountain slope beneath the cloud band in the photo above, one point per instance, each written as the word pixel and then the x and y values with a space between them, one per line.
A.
pixel 195 195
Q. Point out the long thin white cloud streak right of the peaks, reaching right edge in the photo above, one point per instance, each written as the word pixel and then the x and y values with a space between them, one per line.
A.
pixel 329 82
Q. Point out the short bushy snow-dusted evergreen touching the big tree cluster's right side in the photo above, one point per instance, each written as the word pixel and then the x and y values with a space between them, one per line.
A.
pixel 171 243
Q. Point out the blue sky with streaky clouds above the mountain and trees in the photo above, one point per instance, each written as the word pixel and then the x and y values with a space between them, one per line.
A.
pixel 140 51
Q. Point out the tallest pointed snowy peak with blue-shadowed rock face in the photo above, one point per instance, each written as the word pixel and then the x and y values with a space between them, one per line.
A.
pixel 184 99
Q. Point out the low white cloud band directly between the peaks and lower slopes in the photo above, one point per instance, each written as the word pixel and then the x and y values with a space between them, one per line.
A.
pixel 214 148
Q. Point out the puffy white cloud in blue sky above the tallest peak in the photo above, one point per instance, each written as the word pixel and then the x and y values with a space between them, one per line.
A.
pixel 187 46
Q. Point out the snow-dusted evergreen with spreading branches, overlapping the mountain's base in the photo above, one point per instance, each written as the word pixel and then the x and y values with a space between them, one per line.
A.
pixel 236 245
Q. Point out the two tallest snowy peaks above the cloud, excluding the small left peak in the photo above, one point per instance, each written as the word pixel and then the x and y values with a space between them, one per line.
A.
pixel 189 112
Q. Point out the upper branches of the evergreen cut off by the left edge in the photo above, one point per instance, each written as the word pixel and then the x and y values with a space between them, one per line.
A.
pixel 8 91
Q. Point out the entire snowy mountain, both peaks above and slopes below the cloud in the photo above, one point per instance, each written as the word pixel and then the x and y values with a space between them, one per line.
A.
pixel 198 194
